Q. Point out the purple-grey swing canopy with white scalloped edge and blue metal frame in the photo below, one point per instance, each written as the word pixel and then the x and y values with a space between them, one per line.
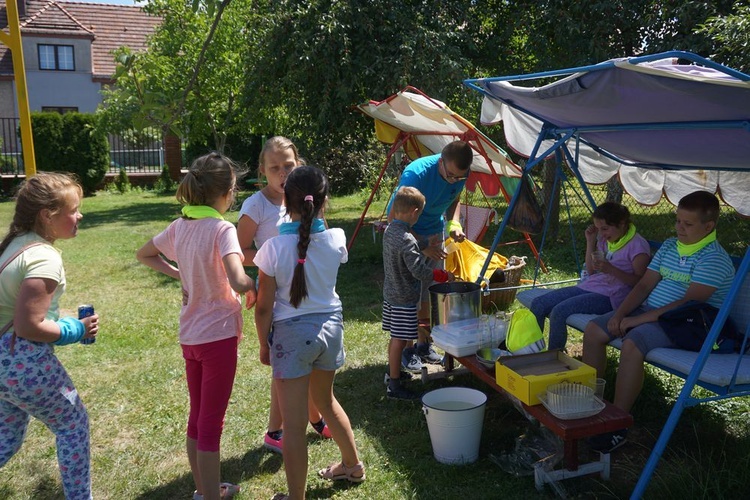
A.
pixel 668 123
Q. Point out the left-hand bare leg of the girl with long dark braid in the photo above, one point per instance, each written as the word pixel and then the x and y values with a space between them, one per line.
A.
pixel 292 396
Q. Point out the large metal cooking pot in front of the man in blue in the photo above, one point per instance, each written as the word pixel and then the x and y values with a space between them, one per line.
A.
pixel 454 301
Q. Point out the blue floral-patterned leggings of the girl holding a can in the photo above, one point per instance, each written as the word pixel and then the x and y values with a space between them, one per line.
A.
pixel 34 383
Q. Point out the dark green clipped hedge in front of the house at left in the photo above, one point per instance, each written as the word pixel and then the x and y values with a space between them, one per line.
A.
pixel 71 143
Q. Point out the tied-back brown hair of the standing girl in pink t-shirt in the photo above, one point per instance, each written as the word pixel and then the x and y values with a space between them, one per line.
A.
pixel 209 177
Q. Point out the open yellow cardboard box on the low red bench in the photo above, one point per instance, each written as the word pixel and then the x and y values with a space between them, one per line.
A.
pixel 529 375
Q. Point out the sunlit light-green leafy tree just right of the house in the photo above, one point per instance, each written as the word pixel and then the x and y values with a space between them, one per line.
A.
pixel 188 80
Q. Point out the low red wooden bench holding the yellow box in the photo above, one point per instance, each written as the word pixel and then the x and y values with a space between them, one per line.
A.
pixel 609 419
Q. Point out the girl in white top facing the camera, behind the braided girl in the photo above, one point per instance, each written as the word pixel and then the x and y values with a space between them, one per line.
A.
pixel 260 217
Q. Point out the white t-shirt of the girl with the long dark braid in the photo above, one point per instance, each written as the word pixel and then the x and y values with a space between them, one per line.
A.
pixel 326 252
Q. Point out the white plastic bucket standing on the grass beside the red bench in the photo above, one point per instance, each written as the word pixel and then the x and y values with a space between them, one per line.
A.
pixel 454 418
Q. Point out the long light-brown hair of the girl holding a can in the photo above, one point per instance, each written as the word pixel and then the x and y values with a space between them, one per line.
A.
pixel 51 191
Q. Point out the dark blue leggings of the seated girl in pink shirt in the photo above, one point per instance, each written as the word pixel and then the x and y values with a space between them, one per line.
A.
pixel 561 303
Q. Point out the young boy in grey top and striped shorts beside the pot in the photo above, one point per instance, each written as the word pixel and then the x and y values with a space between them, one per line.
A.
pixel 405 267
